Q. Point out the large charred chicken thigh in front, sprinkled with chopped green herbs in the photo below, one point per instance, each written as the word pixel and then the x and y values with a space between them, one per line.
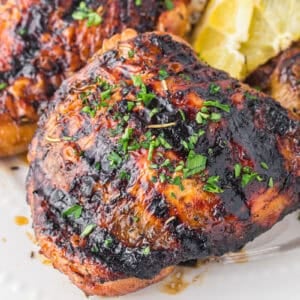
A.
pixel 146 161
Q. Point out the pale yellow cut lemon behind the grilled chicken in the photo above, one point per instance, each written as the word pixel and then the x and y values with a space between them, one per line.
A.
pixel 239 35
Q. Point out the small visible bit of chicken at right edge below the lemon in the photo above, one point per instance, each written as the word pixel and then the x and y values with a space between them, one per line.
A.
pixel 280 77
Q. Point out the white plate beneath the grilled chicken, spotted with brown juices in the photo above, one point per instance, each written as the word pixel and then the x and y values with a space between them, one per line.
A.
pixel 26 278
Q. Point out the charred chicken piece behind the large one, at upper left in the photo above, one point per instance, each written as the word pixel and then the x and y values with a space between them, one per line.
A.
pixel 43 42
